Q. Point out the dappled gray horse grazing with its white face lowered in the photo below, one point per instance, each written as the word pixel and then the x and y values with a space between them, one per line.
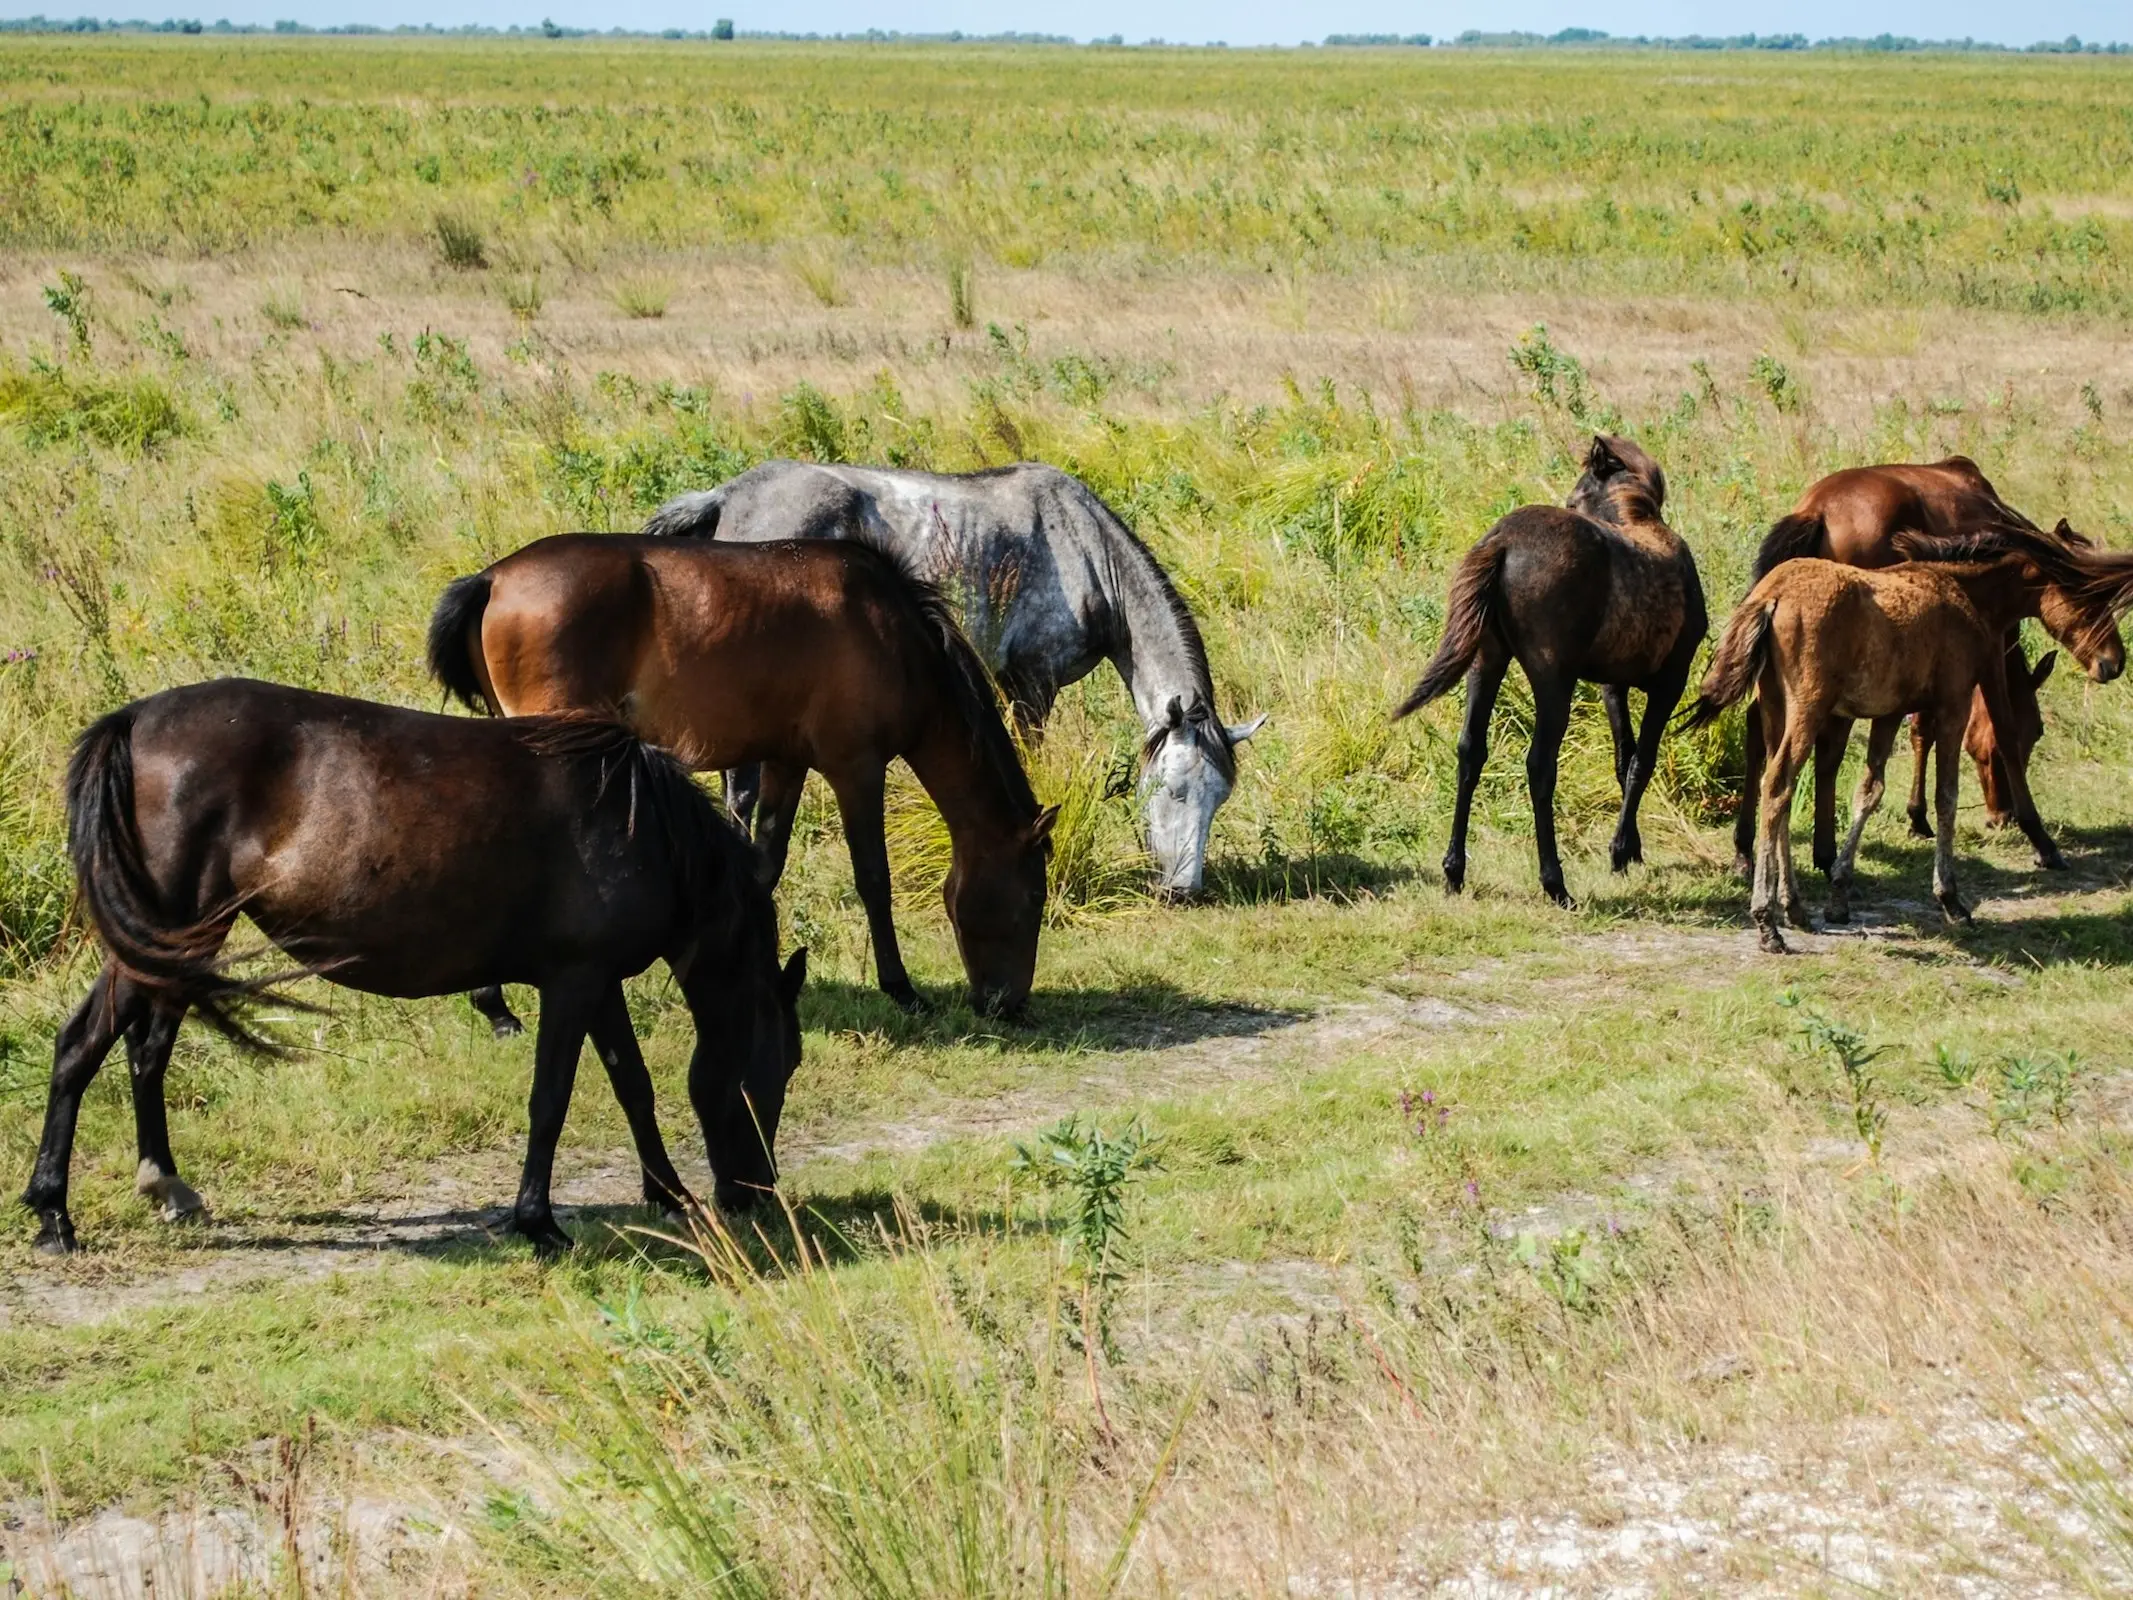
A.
pixel 1048 581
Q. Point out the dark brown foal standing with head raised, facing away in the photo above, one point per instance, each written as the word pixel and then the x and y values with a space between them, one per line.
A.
pixel 1603 592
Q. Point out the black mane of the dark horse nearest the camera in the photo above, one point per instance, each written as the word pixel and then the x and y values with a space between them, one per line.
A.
pixel 707 854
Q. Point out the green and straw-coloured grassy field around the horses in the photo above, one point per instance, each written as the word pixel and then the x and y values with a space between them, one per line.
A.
pixel 1430 1245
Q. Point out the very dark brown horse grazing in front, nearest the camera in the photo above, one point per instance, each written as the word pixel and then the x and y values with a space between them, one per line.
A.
pixel 411 854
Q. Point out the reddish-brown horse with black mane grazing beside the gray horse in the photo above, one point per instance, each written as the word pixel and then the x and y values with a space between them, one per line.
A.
pixel 803 656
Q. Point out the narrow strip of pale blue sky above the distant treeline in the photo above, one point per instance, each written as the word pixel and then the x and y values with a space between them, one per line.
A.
pixel 1240 22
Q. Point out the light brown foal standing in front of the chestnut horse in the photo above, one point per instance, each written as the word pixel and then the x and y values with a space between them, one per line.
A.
pixel 1823 643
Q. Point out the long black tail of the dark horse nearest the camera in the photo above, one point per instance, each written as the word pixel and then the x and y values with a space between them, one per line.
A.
pixel 125 903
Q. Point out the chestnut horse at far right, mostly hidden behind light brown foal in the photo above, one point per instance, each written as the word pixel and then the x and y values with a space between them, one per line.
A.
pixel 1855 517
